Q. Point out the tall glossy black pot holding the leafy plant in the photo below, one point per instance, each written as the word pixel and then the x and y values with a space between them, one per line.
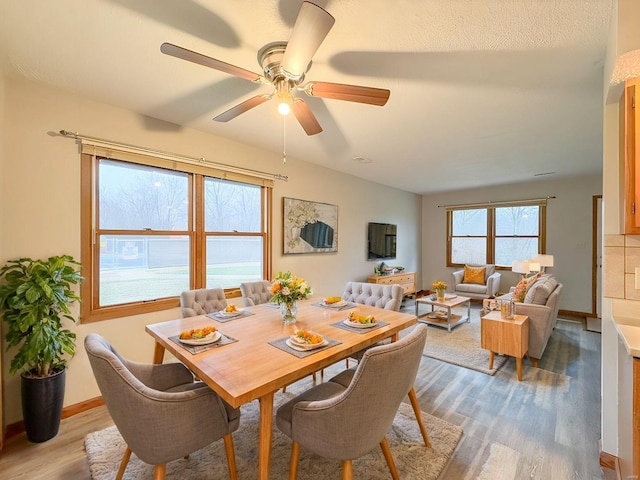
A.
pixel 42 400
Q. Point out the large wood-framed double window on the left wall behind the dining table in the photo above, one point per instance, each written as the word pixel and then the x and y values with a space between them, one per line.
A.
pixel 151 232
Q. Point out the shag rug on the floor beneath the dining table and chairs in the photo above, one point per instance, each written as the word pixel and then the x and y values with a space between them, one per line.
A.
pixel 414 461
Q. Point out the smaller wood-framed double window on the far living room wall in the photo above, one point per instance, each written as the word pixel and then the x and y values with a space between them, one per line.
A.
pixel 495 235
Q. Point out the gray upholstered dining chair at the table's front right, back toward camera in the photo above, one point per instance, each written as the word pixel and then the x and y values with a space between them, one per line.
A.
pixel 329 419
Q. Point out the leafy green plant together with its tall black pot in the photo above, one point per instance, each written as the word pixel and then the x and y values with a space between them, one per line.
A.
pixel 34 300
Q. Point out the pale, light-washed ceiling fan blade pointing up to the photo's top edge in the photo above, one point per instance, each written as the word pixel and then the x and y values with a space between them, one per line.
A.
pixel 311 28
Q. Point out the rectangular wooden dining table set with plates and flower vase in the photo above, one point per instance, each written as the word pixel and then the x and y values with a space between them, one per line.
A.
pixel 251 368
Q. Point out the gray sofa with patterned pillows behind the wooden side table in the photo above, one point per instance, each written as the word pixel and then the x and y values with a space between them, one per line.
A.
pixel 541 305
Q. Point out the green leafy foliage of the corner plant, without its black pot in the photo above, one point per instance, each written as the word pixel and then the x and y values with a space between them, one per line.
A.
pixel 35 300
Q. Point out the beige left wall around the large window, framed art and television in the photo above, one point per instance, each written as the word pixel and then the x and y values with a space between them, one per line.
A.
pixel 40 207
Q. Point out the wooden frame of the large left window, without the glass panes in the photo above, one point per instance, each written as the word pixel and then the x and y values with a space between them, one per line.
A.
pixel 90 310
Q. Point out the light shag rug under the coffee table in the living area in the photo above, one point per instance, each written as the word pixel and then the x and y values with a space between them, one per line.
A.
pixel 462 346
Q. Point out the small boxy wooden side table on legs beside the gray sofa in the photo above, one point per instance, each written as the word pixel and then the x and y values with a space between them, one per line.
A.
pixel 505 336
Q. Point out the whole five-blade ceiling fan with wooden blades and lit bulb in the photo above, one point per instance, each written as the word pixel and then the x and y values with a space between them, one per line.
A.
pixel 284 66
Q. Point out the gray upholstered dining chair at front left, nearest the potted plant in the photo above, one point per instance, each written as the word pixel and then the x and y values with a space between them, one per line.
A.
pixel 160 411
